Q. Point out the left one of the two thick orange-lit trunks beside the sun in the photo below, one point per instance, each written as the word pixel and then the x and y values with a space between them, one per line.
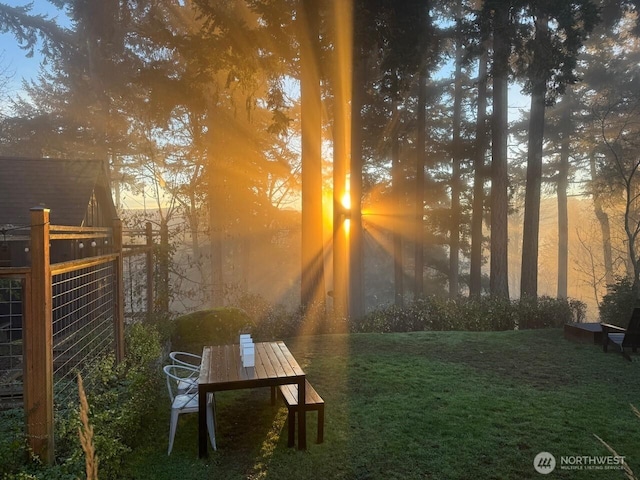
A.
pixel 312 268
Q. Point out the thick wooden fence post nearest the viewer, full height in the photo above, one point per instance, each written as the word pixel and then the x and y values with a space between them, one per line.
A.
pixel 38 342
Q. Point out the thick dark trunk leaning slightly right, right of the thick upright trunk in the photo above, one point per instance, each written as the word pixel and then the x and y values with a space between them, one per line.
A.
pixel 531 229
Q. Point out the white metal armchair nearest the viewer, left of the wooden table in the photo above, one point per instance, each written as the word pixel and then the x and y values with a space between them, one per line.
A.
pixel 186 401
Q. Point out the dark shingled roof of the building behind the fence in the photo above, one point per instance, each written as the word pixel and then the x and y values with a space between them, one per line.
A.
pixel 63 186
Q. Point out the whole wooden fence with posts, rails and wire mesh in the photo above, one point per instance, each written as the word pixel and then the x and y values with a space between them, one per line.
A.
pixel 66 316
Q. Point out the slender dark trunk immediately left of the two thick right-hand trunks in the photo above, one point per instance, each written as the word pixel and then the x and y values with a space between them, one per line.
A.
pixel 477 238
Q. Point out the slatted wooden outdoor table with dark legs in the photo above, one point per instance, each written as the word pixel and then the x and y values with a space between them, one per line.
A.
pixel 222 369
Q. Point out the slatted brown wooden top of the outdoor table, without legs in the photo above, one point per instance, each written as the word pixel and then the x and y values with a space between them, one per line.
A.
pixel 222 368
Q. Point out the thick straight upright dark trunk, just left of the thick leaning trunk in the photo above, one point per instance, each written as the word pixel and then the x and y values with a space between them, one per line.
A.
pixel 499 280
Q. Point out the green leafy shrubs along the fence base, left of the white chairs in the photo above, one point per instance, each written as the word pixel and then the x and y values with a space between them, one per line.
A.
pixel 119 408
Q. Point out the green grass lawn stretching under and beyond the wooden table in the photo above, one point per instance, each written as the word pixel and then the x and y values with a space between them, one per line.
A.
pixel 424 405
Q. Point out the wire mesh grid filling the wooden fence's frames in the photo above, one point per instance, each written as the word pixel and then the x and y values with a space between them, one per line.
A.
pixel 83 313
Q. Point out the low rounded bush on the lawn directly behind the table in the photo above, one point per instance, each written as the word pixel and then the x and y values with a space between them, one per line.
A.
pixel 209 327
